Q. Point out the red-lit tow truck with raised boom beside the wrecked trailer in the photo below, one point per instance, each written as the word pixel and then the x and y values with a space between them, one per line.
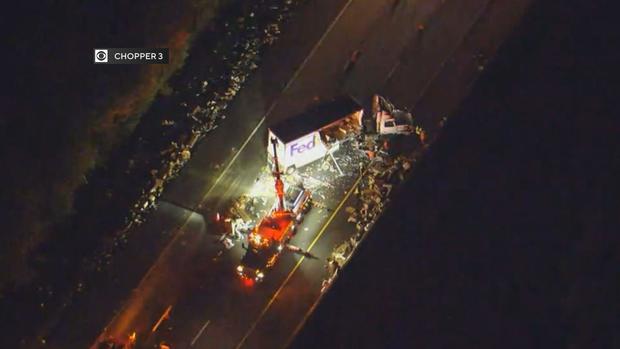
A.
pixel 269 237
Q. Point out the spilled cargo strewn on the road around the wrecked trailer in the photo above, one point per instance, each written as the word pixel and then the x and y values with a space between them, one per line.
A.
pixel 366 166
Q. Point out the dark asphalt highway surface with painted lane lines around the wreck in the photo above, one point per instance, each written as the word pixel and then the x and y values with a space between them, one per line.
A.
pixel 209 307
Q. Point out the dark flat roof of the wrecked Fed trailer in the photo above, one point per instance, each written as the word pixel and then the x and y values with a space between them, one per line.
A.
pixel 315 118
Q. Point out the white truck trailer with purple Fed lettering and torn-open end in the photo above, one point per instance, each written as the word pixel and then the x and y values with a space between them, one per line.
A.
pixel 313 134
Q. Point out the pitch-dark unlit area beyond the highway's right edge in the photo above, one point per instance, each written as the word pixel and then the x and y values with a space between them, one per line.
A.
pixel 506 236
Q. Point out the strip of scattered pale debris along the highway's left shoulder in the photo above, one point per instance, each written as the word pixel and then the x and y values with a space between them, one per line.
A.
pixel 238 55
